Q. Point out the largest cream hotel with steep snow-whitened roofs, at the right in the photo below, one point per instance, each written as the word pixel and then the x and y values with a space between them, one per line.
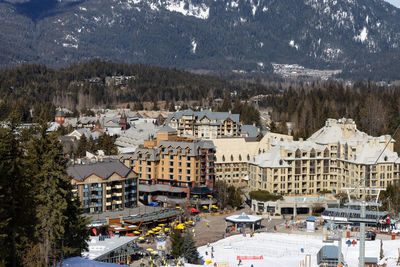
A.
pixel 336 156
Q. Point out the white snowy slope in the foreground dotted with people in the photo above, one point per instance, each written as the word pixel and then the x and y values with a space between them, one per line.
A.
pixel 285 250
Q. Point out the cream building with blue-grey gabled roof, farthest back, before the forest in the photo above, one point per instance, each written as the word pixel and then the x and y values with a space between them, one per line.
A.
pixel 205 124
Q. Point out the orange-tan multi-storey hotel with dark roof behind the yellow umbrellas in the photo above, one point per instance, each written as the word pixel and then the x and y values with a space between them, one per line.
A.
pixel 175 161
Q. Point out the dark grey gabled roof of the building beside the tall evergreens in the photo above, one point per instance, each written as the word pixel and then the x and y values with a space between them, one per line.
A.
pixel 102 169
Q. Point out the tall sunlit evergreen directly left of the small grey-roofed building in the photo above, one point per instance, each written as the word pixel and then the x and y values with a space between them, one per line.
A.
pixel 52 199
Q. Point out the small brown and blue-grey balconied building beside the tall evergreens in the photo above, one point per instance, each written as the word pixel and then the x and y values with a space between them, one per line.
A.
pixel 104 186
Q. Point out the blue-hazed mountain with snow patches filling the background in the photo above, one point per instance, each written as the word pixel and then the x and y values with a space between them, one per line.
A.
pixel 353 35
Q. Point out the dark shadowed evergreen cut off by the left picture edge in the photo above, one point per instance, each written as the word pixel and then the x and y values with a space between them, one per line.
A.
pixel 16 216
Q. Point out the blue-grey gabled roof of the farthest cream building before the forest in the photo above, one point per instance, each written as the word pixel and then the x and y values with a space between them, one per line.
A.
pixel 219 116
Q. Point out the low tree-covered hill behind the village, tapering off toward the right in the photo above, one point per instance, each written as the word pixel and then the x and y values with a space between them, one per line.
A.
pixel 89 84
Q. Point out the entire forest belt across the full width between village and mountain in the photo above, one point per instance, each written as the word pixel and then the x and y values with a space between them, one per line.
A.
pixel 35 90
